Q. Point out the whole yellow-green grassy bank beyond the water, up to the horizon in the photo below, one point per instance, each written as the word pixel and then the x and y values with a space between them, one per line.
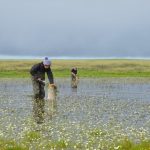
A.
pixel 87 68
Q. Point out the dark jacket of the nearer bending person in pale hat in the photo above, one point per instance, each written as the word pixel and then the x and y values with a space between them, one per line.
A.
pixel 38 71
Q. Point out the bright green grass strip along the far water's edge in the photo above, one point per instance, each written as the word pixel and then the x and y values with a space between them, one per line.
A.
pixel 82 73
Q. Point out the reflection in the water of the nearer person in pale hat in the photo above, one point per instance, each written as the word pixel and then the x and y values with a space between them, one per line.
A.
pixel 38 110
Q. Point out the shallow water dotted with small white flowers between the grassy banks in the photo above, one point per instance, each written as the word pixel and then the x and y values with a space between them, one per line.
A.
pixel 106 103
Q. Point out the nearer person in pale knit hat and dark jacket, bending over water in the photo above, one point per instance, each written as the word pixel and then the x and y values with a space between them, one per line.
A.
pixel 38 77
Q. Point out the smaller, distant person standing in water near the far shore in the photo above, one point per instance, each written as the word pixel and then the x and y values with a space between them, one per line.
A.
pixel 74 77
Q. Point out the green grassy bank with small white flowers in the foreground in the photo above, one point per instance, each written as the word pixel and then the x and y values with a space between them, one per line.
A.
pixel 34 140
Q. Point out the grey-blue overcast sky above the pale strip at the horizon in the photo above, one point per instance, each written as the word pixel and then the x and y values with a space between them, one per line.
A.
pixel 86 28
